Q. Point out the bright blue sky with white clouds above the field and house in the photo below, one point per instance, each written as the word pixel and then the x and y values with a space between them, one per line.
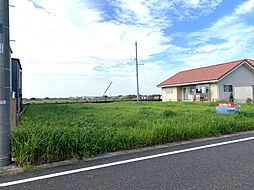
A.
pixel 77 47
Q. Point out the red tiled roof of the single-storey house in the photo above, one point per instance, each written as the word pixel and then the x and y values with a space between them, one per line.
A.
pixel 214 72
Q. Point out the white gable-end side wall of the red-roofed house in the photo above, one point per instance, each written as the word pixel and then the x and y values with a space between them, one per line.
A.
pixel 242 76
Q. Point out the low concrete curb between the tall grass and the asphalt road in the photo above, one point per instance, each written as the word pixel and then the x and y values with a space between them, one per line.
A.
pixel 13 170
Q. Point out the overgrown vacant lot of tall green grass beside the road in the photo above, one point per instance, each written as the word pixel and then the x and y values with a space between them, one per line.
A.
pixel 50 133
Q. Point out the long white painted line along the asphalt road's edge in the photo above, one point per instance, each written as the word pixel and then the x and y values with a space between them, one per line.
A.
pixel 121 162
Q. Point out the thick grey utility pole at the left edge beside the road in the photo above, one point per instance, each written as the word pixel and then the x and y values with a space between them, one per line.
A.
pixel 5 85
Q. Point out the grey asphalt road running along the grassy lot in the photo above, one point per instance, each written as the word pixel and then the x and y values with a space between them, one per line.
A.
pixel 228 166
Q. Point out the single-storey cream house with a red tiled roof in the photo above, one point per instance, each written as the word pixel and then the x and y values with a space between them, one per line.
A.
pixel 212 83
